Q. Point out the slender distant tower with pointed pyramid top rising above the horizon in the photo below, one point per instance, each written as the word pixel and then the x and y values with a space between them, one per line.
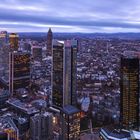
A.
pixel 49 41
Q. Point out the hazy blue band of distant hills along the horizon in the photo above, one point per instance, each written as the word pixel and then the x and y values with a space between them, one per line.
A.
pixel 43 36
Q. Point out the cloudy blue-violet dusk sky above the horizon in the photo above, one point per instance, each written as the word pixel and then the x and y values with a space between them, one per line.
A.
pixel 70 15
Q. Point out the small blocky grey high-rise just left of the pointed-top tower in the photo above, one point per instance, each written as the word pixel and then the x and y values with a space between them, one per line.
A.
pixel 37 53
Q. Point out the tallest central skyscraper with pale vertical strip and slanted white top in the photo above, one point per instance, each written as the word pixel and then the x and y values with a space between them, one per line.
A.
pixel 64 73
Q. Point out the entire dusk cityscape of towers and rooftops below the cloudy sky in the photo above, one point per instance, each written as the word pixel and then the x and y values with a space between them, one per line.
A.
pixel 85 89
